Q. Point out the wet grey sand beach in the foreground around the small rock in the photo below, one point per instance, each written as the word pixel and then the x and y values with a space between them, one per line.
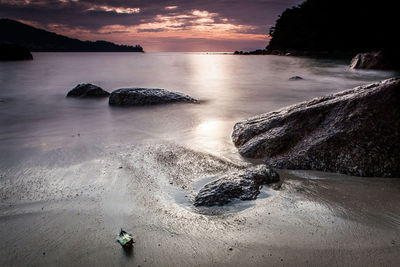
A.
pixel 64 206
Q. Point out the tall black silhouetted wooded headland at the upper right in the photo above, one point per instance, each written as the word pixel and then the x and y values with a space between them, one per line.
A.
pixel 337 28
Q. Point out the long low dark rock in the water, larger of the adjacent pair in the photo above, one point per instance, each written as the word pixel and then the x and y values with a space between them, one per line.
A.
pixel 146 96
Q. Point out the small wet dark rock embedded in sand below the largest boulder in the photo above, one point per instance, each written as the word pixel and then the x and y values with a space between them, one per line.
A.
pixel 244 185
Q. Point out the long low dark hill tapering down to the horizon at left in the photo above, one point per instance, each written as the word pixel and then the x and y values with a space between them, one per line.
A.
pixel 38 40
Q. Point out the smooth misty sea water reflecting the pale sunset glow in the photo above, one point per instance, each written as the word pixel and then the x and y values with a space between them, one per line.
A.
pixel 36 115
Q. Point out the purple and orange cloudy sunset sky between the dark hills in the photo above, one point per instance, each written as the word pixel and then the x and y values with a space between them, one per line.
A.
pixel 157 25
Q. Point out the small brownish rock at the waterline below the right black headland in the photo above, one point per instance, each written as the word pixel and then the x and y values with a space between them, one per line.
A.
pixel 372 60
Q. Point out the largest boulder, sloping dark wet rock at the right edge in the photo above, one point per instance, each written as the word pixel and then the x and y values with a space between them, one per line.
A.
pixel 353 132
